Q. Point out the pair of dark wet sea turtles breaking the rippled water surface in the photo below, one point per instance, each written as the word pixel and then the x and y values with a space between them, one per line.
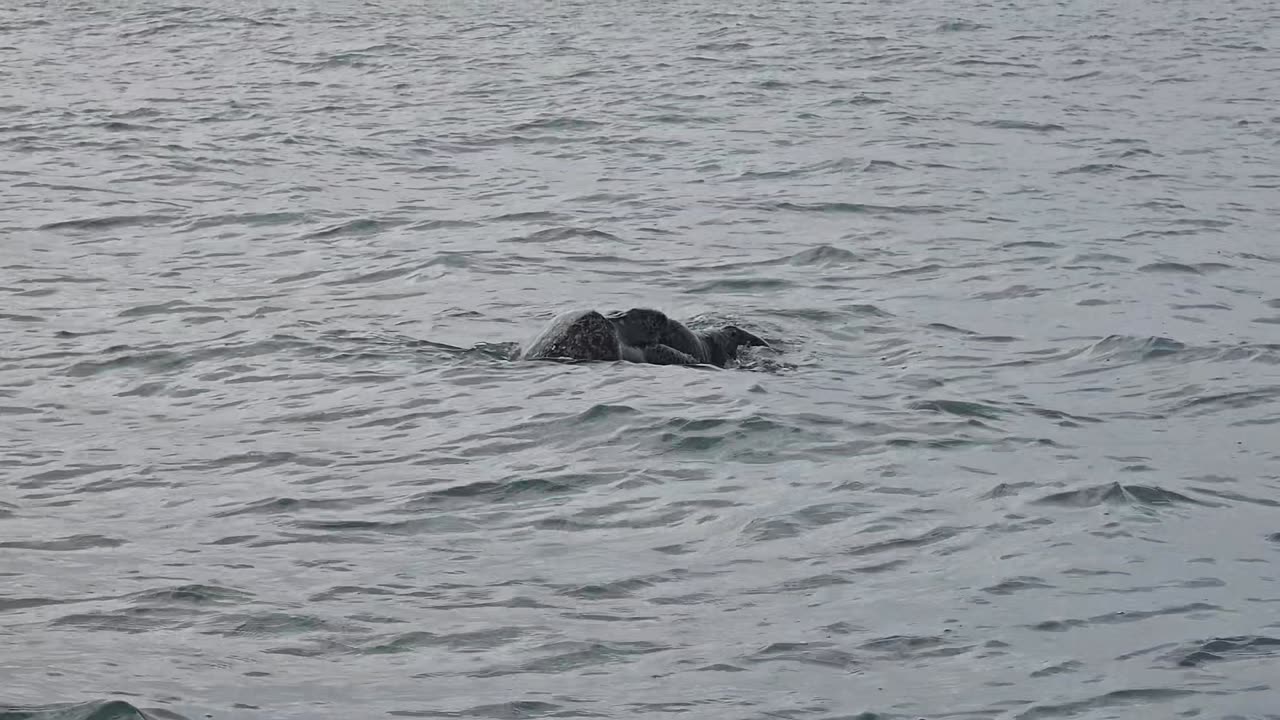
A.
pixel 639 335
